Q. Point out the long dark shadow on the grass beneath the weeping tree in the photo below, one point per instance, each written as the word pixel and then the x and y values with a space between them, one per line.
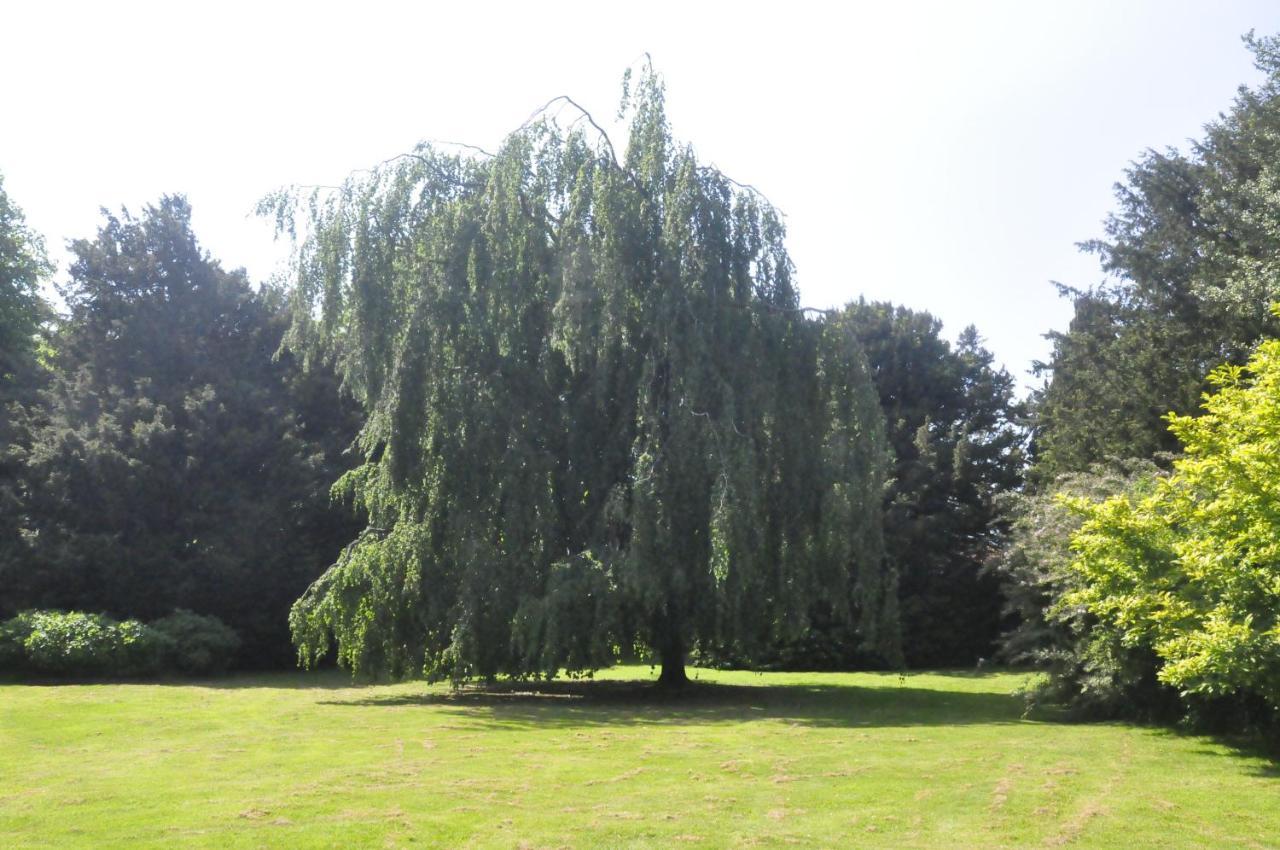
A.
pixel 559 705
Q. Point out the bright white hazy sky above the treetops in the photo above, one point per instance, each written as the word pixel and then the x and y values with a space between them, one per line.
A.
pixel 941 156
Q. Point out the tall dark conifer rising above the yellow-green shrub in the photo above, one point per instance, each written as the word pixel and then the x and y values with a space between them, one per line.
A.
pixel 1194 254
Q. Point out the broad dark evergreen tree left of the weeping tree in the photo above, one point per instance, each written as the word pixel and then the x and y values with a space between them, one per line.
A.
pixel 171 461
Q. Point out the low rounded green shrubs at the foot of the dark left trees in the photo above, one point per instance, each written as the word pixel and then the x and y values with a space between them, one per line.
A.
pixel 57 643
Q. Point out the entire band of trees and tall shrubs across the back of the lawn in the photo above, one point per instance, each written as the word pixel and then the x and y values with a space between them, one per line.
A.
pixel 561 405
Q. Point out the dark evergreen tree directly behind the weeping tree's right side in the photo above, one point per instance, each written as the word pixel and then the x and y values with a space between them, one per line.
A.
pixel 956 429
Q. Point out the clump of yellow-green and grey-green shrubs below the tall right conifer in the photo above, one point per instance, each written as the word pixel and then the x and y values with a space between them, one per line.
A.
pixel 1160 593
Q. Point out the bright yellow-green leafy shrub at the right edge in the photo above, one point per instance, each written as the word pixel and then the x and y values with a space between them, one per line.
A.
pixel 1190 569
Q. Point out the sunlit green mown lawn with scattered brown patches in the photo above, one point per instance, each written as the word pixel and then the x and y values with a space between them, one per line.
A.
pixel 746 760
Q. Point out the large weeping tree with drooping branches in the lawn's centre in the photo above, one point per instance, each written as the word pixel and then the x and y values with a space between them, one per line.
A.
pixel 600 426
